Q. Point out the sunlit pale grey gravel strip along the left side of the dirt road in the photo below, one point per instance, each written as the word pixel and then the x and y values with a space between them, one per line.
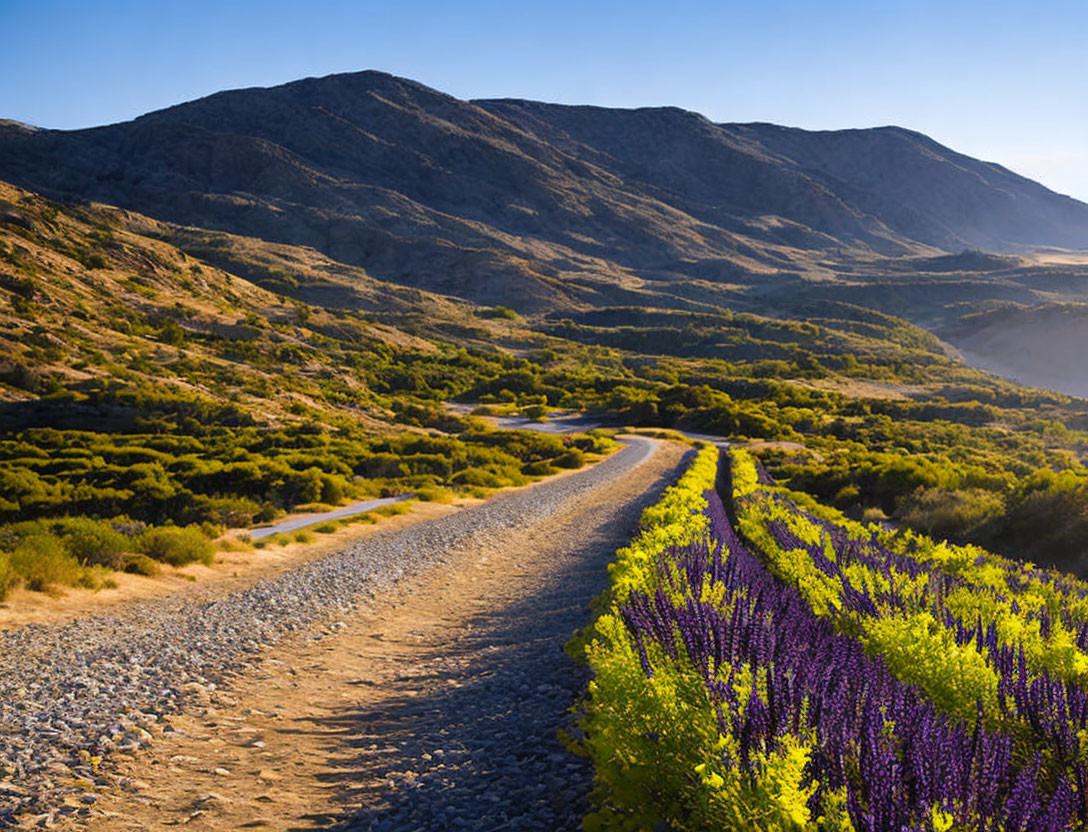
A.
pixel 75 693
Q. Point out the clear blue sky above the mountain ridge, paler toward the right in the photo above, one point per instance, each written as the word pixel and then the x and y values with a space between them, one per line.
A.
pixel 1004 82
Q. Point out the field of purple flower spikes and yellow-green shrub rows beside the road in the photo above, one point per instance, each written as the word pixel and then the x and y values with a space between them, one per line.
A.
pixel 795 670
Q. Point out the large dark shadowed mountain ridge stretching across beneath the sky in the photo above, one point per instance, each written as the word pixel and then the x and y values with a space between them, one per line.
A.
pixel 537 206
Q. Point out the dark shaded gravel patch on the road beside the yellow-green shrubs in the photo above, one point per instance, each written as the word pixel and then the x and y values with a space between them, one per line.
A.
pixel 484 754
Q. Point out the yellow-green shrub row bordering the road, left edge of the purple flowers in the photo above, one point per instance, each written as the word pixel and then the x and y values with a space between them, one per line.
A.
pixel 649 736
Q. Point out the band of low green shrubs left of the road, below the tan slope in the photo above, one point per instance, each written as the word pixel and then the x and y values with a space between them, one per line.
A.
pixel 93 503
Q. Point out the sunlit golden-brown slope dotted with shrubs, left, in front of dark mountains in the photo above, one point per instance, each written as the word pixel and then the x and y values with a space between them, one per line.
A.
pixel 103 322
